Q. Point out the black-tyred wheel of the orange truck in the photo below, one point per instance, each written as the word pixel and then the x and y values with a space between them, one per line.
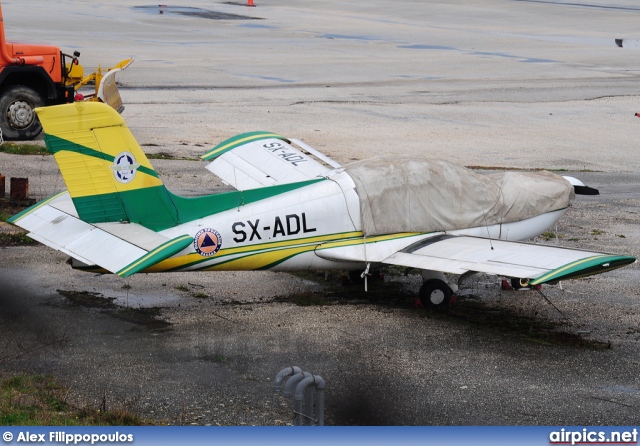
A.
pixel 18 119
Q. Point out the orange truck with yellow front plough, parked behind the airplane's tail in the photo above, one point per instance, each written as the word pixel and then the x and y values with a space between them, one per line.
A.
pixel 39 75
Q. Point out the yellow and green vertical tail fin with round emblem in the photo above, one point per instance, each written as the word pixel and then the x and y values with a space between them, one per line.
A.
pixel 106 172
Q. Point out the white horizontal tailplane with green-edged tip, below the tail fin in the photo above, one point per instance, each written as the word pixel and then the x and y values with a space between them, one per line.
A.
pixel 123 249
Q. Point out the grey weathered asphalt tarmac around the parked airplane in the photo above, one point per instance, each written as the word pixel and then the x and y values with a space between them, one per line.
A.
pixel 518 84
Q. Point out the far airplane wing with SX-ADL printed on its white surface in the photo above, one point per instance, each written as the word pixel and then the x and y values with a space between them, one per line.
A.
pixel 258 159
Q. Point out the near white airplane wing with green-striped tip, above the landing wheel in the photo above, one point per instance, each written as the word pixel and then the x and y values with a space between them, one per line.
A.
pixel 459 254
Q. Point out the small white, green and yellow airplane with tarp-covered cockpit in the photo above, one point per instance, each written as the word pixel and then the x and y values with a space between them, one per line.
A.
pixel 295 209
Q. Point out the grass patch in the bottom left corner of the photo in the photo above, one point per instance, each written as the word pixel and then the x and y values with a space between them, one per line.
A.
pixel 39 400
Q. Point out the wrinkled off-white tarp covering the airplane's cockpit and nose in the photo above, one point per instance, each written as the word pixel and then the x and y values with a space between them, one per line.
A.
pixel 403 194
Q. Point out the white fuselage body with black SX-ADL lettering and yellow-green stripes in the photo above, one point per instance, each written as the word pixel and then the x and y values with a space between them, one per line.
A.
pixel 291 231
